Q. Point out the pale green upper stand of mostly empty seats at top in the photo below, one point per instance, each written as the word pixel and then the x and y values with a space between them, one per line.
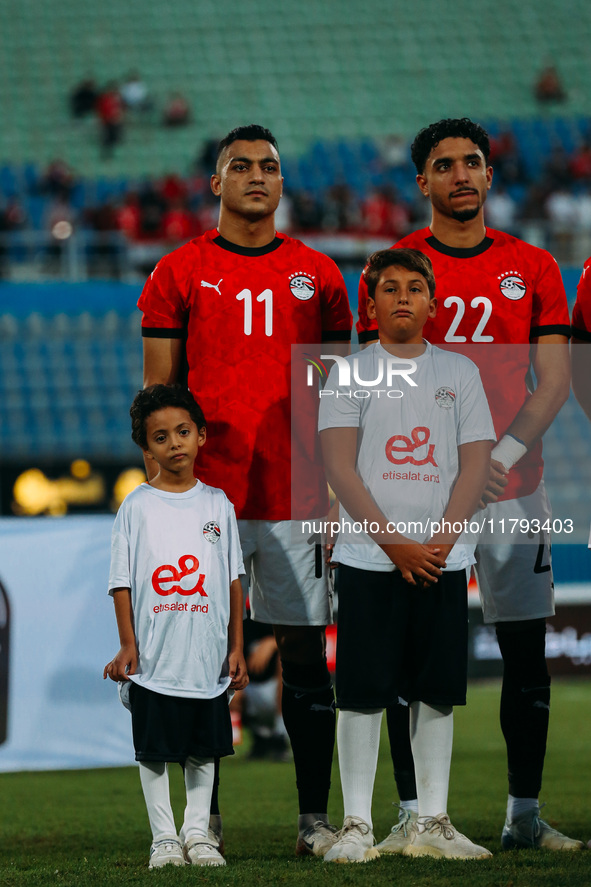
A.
pixel 330 71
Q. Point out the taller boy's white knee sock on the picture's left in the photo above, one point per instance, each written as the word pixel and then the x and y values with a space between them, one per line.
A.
pixel 358 741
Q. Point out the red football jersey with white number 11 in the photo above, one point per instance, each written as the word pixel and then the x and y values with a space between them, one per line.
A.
pixel 241 309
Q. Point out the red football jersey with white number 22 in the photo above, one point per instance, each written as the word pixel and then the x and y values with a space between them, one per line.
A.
pixel 503 292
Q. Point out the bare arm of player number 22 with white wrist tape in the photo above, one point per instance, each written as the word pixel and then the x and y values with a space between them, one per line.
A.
pixel 550 360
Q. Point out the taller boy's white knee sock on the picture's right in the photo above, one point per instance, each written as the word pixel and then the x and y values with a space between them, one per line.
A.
pixel 431 738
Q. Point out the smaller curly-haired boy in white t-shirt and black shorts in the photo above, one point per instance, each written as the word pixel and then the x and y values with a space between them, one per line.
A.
pixel 175 568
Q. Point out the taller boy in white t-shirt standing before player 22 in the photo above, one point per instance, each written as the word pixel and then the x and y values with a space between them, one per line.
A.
pixel 406 437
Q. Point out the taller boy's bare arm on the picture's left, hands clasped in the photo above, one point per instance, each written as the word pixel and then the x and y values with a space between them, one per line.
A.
pixel 339 450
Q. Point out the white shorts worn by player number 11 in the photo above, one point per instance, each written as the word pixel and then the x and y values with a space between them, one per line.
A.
pixel 281 568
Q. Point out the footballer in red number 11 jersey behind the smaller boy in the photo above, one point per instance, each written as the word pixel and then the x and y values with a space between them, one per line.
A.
pixel 234 301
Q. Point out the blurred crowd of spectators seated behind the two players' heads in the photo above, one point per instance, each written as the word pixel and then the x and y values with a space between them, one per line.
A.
pixel 550 205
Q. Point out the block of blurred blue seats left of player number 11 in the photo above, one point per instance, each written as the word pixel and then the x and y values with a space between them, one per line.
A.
pixel 66 384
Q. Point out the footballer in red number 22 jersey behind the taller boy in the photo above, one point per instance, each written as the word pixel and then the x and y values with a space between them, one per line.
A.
pixel 495 290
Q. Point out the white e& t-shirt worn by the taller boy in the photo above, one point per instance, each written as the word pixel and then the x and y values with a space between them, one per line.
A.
pixel 412 416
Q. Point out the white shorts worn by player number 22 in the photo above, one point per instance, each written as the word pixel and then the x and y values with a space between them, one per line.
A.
pixel 515 578
